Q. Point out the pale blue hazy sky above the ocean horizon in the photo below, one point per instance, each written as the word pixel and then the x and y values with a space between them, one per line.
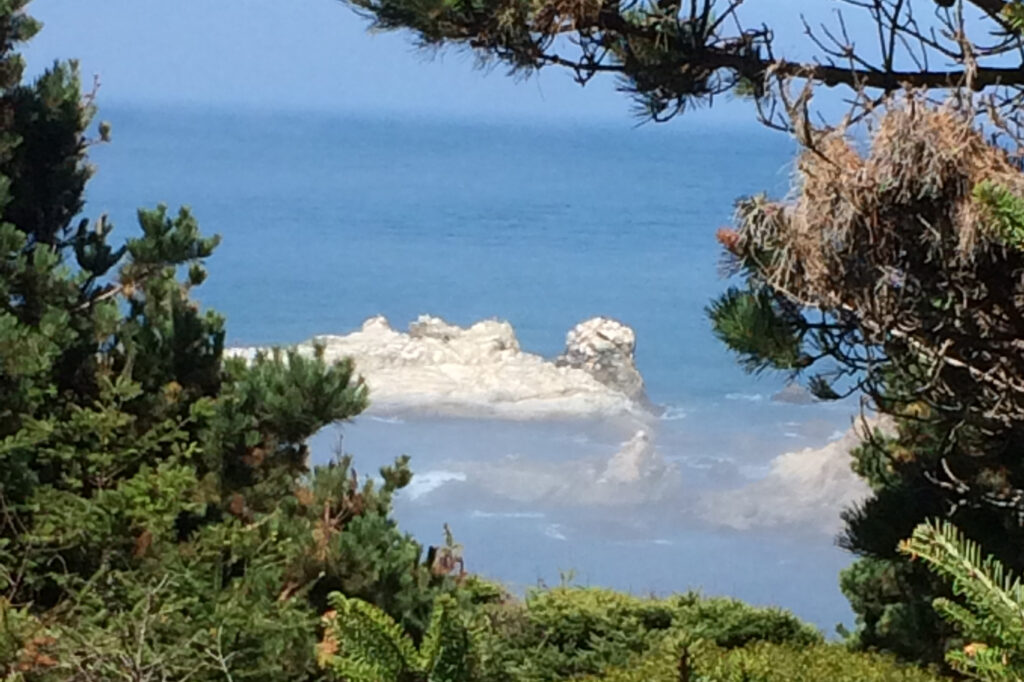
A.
pixel 307 55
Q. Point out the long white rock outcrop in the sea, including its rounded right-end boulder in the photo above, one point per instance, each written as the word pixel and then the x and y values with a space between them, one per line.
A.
pixel 442 369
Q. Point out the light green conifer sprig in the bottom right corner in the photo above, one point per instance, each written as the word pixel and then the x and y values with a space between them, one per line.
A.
pixel 989 610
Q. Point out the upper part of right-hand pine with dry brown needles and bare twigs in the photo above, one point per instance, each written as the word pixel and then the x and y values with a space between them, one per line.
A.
pixel 893 246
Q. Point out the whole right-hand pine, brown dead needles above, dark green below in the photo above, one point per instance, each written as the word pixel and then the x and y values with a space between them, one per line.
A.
pixel 895 274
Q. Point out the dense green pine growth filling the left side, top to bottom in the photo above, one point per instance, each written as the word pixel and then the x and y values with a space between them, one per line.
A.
pixel 159 519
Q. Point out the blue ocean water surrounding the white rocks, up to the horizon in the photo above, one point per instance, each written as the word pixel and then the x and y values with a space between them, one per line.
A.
pixel 328 221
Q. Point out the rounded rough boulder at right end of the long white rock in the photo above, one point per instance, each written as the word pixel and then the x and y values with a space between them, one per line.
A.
pixel 605 349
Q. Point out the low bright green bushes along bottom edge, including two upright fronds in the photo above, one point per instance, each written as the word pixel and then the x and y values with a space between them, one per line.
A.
pixel 618 637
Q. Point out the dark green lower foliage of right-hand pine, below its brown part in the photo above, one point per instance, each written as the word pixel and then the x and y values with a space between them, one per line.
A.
pixel 892 596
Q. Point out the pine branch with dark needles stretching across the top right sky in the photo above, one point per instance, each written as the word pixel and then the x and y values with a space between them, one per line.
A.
pixel 673 57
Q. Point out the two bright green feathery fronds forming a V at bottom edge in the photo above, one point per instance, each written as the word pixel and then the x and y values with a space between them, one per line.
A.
pixel 363 645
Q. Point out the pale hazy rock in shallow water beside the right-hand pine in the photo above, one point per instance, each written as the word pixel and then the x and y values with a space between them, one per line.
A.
pixel 807 489
